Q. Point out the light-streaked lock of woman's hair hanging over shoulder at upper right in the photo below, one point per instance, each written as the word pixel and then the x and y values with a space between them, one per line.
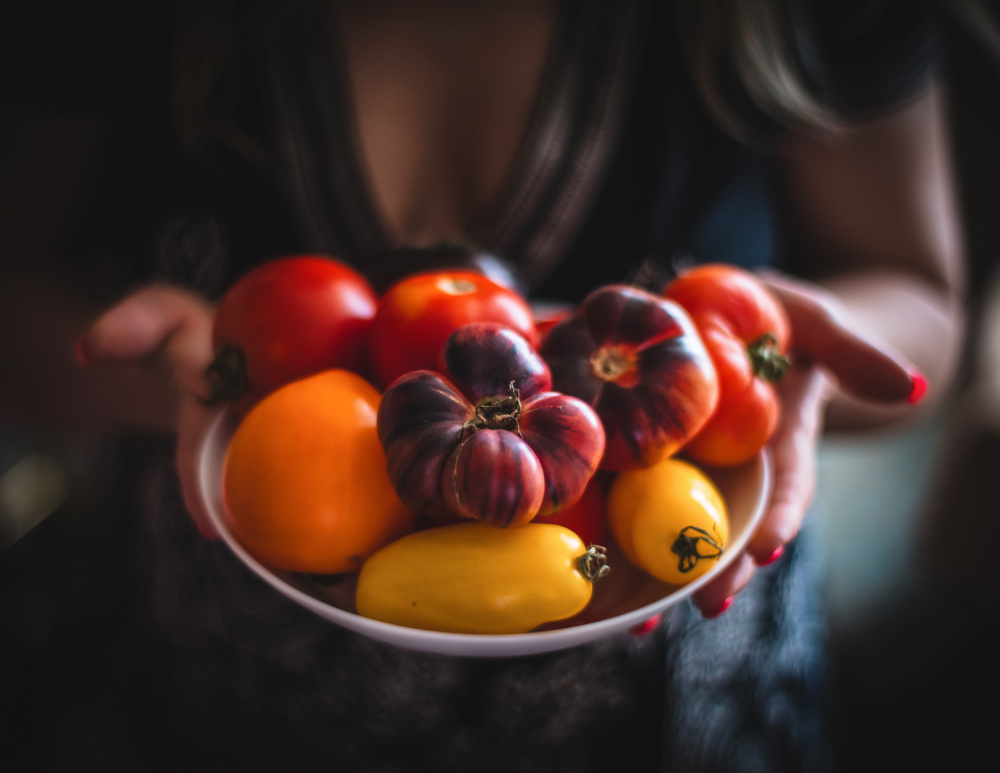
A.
pixel 756 41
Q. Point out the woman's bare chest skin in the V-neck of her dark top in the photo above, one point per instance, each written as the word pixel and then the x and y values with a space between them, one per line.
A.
pixel 441 98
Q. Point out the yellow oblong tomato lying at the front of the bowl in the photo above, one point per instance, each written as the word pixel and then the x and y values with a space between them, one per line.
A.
pixel 476 578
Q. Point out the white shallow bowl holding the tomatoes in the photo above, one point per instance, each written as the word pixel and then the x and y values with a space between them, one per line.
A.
pixel 626 597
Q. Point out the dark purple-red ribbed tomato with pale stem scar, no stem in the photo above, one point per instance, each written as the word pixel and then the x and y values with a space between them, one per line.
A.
pixel 638 361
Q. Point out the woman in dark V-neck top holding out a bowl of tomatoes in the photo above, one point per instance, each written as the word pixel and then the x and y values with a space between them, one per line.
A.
pixel 584 144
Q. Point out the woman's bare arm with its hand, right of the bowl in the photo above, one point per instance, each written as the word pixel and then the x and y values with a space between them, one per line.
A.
pixel 876 227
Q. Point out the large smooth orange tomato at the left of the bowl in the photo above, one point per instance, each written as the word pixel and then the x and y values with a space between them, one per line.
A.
pixel 305 482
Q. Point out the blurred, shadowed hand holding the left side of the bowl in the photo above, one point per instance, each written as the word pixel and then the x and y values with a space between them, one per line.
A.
pixel 162 336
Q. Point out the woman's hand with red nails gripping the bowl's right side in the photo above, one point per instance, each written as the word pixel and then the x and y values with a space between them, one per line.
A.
pixel 829 358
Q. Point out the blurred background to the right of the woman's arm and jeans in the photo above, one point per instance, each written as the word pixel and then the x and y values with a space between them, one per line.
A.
pixel 913 563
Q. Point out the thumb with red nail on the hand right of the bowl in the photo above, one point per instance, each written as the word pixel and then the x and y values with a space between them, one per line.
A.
pixel 822 335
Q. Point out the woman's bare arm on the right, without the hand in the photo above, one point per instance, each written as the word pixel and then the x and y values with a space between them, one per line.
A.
pixel 876 222
